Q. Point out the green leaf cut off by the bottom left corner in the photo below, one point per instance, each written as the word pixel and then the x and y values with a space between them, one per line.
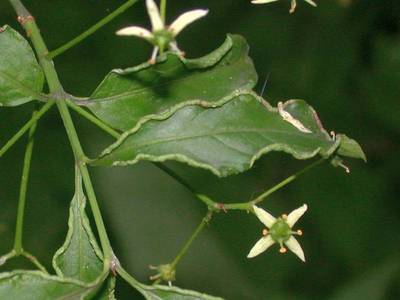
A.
pixel 35 285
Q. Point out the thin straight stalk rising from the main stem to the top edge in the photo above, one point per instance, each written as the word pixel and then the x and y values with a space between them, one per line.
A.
pixel 91 30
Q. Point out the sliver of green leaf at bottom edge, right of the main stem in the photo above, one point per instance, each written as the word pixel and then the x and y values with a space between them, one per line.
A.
pixel 162 292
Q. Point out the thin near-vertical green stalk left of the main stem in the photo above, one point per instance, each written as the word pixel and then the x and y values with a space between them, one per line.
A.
pixel 23 188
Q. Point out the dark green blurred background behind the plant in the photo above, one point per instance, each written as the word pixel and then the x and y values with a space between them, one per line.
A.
pixel 342 57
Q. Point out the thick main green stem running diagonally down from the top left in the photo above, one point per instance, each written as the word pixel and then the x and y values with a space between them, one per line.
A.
pixel 29 24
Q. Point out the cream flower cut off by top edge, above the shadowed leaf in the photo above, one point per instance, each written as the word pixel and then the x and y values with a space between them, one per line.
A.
pixel 161 35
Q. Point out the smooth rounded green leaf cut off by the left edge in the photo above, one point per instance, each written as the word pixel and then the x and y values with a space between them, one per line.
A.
pixel 21 78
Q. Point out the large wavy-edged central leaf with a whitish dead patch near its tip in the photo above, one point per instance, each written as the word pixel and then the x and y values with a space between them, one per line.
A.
pixel 225 139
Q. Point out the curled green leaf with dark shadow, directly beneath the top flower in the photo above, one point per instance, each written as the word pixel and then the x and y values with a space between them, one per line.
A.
pixel 125 96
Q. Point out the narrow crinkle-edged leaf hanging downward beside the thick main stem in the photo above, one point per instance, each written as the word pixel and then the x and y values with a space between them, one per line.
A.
pixel 80 257
